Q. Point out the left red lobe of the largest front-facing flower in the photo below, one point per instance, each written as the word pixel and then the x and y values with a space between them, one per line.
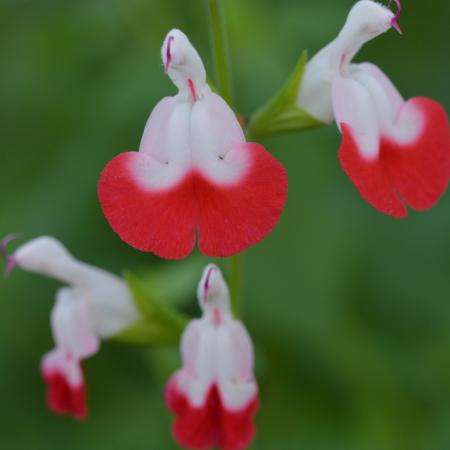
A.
pixel 159 221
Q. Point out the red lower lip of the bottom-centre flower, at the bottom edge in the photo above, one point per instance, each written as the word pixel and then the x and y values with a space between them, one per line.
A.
pixel 212 425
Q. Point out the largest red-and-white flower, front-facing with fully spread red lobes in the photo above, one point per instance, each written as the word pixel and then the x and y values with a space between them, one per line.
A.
pixel 194 173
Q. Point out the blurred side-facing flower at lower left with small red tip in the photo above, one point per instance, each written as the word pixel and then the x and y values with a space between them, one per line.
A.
pixel 95 305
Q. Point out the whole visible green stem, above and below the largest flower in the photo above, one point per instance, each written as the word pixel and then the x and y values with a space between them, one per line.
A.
pixel 224 86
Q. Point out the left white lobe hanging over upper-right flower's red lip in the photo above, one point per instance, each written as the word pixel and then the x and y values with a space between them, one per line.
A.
pixel 353 105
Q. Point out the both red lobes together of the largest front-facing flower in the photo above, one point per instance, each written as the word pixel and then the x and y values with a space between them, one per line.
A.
pixel 228 217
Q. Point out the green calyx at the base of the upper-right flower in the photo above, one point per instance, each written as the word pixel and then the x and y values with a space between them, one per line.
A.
pixel 281 114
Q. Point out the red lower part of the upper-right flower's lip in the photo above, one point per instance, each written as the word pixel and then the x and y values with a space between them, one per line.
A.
pixel 416 174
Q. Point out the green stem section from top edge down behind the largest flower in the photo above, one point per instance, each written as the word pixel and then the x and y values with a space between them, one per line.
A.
pixel 220 50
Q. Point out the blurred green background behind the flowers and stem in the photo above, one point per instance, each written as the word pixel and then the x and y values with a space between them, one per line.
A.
pixel 349 309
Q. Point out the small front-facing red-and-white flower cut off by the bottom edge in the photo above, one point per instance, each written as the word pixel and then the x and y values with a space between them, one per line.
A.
pixel 214 395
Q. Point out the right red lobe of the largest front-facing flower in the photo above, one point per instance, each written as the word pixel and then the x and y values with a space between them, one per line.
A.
pixel 232 218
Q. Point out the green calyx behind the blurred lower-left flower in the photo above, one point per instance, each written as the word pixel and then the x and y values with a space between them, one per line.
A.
pixel 160 324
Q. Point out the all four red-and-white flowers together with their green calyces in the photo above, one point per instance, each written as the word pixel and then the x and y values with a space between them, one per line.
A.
pixel 195 174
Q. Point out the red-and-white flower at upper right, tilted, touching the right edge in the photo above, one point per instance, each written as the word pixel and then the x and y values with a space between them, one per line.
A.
pixel 396 152
